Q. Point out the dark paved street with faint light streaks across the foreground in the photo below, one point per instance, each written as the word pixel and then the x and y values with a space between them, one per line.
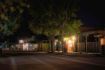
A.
pixel 51 62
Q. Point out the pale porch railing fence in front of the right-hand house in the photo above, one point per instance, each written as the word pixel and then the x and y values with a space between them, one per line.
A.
pixel 93 47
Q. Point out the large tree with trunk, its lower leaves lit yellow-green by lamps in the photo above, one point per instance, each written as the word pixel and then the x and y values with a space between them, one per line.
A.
pixel 55 19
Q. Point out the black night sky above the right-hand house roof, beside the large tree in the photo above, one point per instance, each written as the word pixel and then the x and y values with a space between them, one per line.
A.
pixel 92 12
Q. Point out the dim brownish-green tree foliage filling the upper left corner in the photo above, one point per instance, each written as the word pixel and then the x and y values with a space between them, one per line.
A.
pixel 10 14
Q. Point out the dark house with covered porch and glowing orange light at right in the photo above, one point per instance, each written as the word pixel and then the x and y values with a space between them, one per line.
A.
pixel 91 40
